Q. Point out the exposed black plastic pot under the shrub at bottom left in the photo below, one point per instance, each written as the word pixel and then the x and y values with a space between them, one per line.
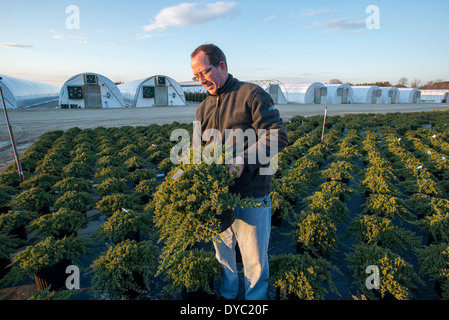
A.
pixel 53 276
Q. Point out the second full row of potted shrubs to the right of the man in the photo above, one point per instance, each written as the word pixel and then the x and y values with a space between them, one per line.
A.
pixel 379 242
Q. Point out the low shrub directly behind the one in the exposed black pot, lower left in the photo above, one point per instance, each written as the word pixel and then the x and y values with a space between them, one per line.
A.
pixel 58 224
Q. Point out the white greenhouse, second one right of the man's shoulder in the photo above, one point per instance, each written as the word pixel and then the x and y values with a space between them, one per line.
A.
pixel 307 93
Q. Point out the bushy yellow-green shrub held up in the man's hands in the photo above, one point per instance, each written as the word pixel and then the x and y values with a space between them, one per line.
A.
pixel 196 207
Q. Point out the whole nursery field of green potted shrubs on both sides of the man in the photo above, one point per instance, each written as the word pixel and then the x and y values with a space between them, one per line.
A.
pixel 360 211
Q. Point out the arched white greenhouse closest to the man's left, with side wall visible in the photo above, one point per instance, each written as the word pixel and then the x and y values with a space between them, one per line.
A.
pixel 156 90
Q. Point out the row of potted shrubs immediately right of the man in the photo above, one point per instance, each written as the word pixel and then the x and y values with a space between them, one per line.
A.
pixel 306 275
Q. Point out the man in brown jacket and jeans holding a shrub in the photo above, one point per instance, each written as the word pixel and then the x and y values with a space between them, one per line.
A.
pixel 239 106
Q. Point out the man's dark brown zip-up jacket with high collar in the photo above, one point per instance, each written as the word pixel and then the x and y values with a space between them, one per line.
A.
pixel 240 105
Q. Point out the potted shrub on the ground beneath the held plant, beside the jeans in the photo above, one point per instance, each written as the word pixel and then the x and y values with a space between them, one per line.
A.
pixel 192 274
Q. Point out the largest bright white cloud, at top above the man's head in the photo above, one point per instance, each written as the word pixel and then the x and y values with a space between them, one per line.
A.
pixel 186 14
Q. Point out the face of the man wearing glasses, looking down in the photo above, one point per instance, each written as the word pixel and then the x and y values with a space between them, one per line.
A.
pixel 211 78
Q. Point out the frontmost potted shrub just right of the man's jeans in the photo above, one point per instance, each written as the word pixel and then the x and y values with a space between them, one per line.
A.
pixel 301 276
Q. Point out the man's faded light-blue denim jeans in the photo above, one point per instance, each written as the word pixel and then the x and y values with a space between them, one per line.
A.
pixel 251 229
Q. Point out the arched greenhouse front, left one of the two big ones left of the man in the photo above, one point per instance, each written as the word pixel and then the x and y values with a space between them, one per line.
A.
pixel 90 90
